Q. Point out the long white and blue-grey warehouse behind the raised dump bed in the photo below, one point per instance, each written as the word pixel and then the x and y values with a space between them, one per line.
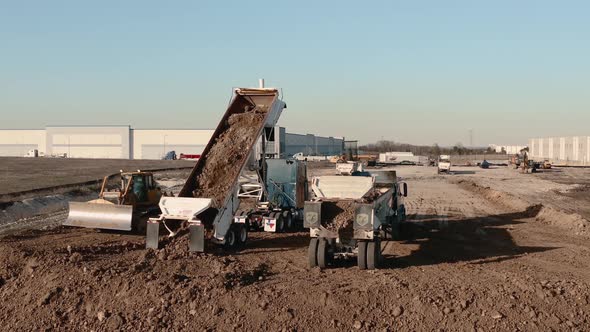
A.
pixel 124 142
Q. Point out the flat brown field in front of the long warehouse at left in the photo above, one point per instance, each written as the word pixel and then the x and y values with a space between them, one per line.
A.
pixel 49 172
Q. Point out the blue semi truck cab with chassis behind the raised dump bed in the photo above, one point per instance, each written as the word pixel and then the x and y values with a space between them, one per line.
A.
pixel 277 199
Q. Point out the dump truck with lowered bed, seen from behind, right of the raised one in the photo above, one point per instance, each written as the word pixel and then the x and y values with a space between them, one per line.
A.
pixel 365 210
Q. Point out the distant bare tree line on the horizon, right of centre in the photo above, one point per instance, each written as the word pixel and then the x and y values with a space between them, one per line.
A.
pixel 423 150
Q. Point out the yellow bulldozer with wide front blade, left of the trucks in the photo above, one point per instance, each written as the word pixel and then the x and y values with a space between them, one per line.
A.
pixel 125 209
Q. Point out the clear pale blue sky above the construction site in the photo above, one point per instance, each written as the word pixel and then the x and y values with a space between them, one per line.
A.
pixel 409 71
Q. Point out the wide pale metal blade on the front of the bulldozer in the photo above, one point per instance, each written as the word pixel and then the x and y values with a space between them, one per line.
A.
pixel 102 216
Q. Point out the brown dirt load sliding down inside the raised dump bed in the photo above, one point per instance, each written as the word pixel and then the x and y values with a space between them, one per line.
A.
pixel 223 163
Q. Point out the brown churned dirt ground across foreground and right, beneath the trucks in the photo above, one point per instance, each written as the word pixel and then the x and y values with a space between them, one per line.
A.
pixel 486 254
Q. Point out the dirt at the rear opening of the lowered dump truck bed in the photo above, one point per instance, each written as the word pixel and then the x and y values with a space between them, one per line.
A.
pixel 338 217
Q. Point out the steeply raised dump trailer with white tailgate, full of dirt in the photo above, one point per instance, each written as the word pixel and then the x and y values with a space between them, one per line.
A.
pixel 209 199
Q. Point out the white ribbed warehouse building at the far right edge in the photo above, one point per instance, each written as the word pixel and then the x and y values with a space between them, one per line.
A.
pixel 574 150
